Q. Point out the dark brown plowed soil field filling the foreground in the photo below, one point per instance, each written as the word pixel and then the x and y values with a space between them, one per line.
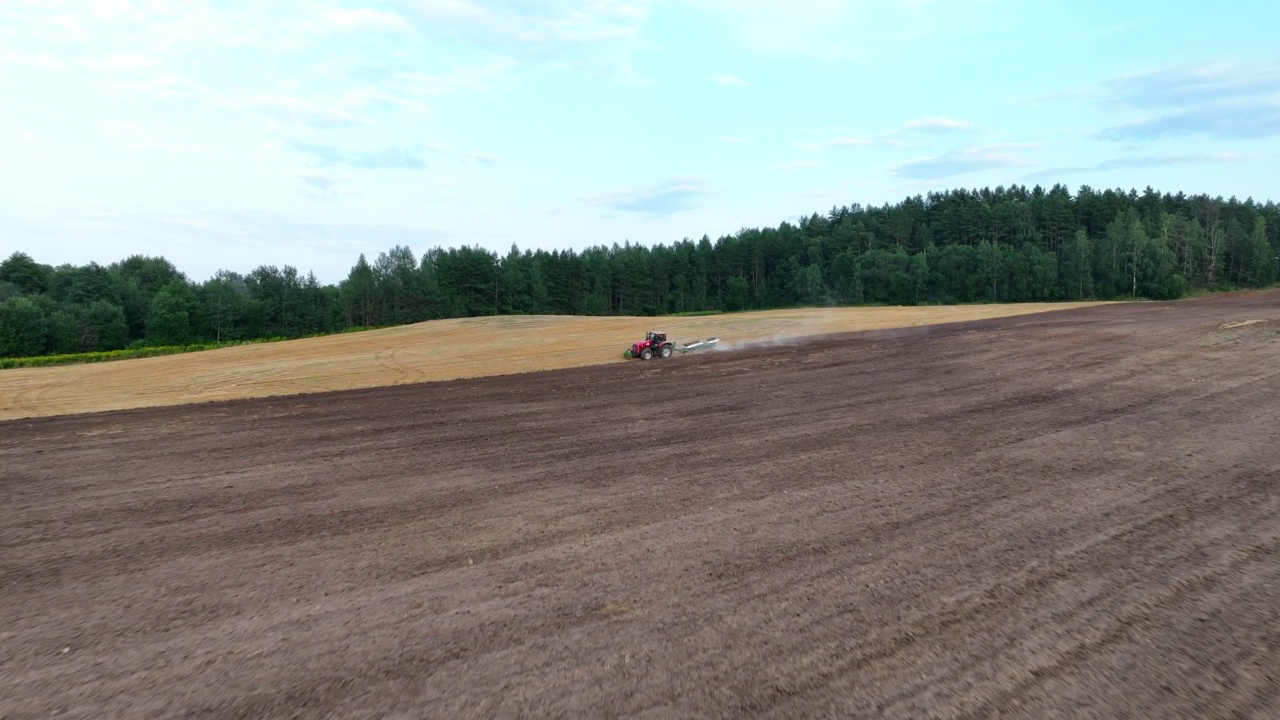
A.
pixel 1064 516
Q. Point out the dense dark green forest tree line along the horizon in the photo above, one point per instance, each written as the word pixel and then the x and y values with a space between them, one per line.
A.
pixel 1004 245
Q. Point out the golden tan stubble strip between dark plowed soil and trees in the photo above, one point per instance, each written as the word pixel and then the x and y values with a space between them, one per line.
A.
pixel 438 350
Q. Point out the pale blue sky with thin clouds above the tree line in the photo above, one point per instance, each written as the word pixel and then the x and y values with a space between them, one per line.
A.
pixel 228 135
